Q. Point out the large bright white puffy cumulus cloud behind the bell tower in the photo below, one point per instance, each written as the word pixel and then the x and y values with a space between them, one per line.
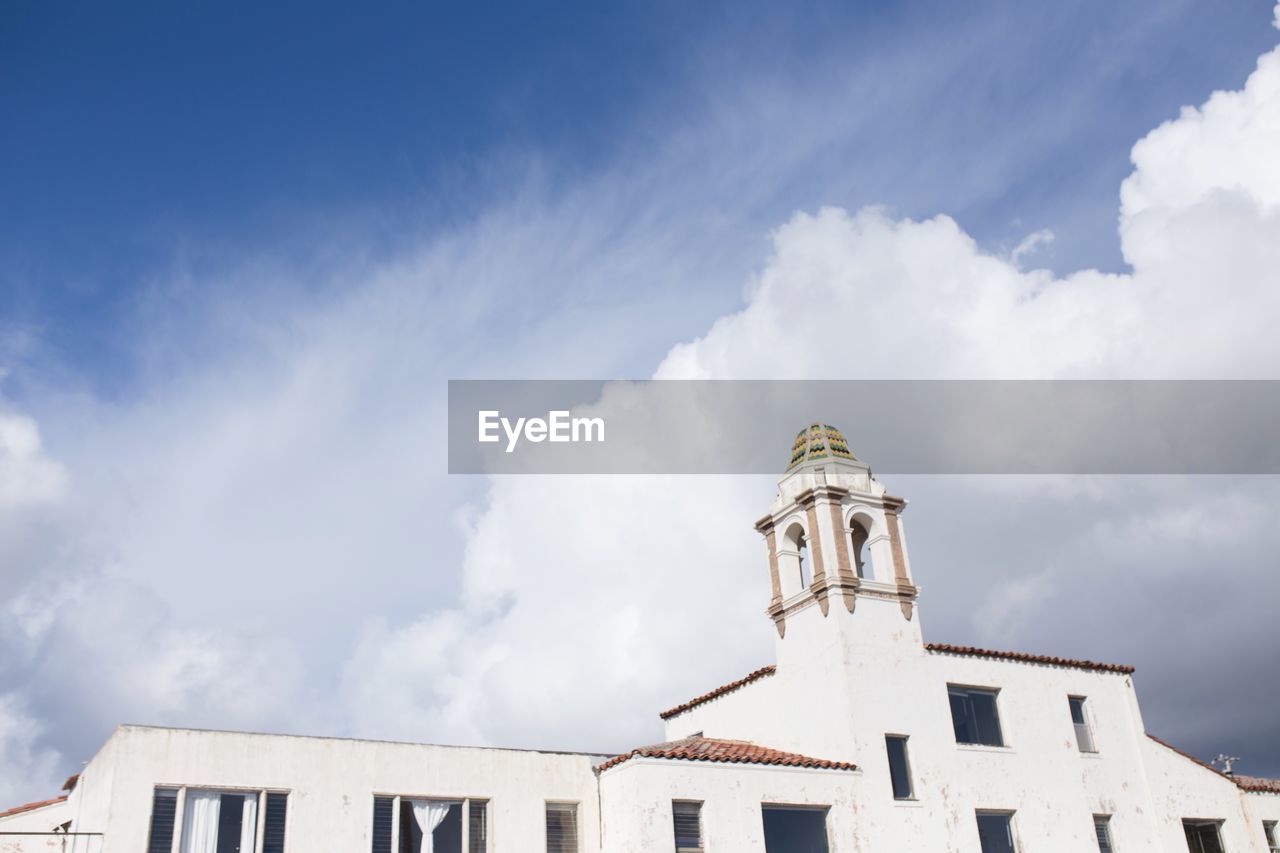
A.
pixel 588 597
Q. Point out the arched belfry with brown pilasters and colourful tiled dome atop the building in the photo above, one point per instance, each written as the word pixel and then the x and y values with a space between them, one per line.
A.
pixel 835 540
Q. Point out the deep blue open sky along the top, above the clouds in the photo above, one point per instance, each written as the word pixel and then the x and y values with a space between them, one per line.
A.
pixel 144 136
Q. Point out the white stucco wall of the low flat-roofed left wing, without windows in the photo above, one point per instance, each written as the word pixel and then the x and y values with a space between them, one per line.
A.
pixel 332 784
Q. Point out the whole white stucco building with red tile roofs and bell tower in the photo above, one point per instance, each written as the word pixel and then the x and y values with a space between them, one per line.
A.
pixel 861 737
